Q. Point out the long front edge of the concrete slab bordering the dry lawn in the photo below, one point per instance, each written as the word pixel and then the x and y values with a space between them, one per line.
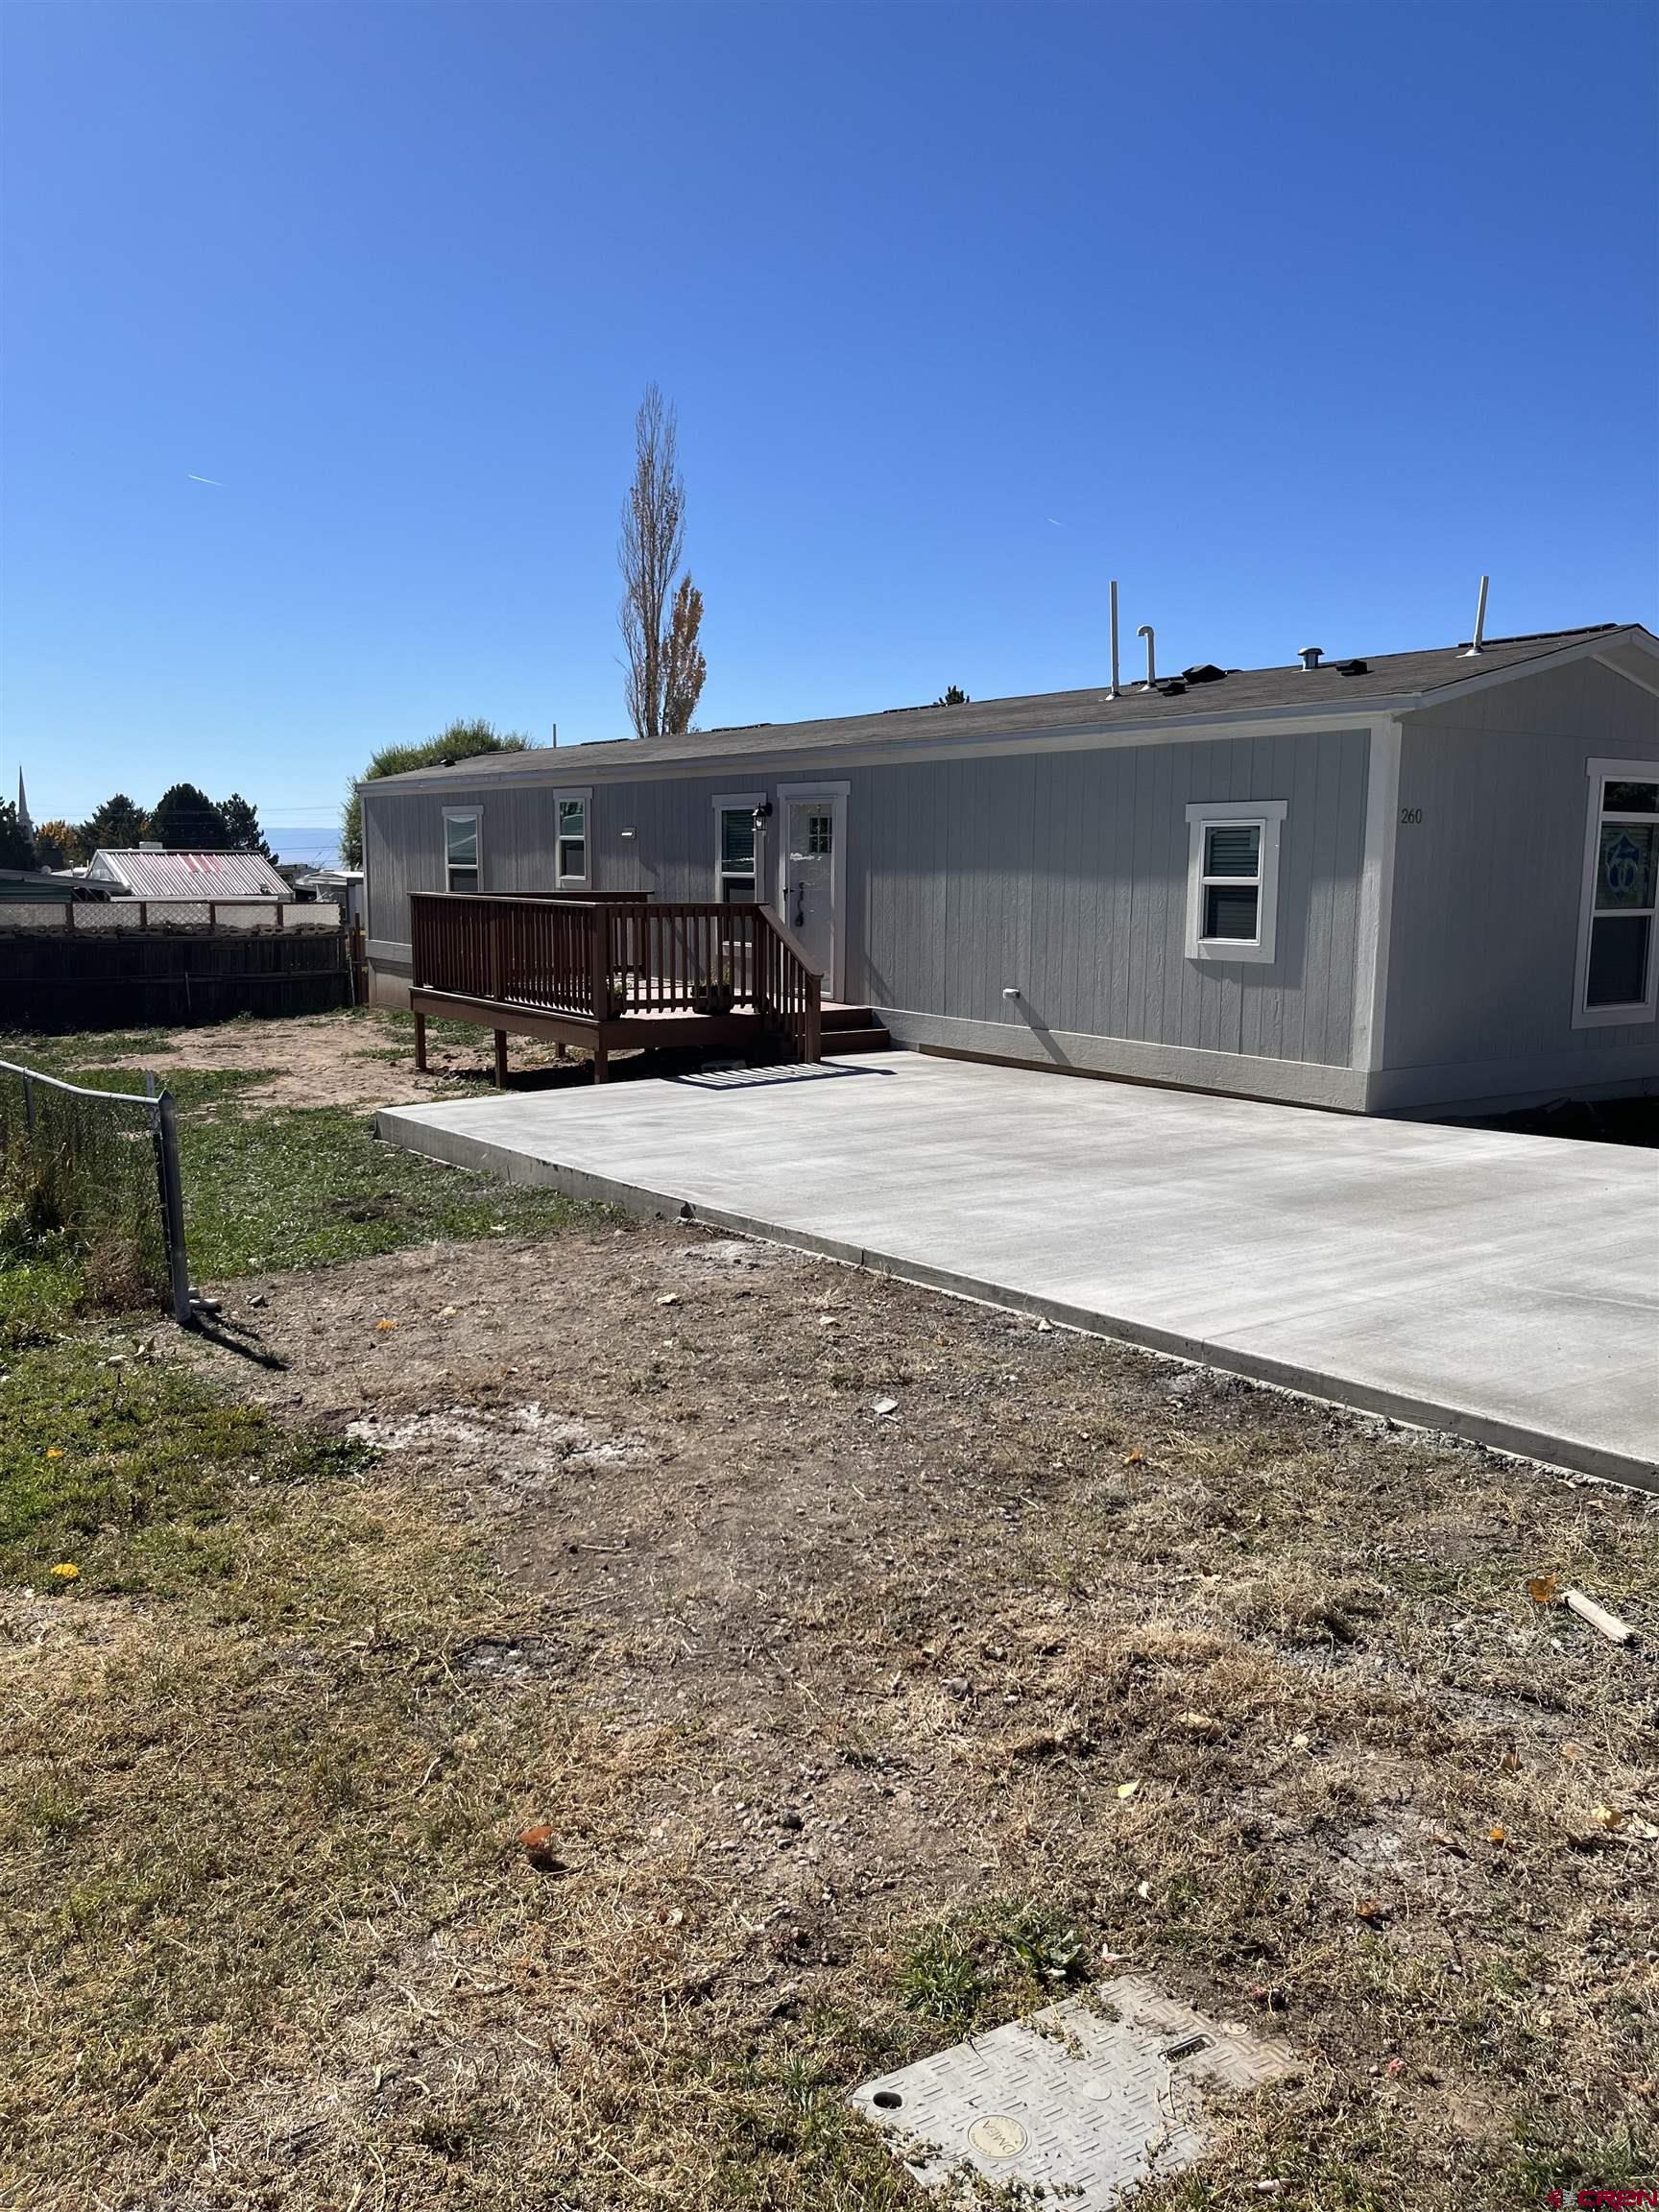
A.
pixel 1512 1439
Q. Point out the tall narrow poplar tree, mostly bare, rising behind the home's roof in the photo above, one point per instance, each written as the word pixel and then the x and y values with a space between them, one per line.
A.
pixel 665 660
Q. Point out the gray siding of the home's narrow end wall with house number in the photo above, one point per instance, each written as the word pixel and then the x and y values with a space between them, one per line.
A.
pixel 1483 946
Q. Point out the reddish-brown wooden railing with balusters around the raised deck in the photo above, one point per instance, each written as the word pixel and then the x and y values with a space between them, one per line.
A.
pixel 609 959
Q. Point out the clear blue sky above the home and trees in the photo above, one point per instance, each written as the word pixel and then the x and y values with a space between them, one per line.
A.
pixel 1291 317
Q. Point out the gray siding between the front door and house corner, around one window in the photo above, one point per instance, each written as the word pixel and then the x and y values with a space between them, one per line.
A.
pixel 1065 875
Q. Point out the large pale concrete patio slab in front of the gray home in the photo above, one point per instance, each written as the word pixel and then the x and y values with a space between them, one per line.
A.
pixel 1479 1282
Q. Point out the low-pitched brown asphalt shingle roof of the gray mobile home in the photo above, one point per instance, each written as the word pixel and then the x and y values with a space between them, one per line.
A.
pixel 1342 685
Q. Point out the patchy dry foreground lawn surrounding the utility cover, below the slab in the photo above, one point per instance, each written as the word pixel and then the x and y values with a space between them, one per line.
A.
pixel 846 1733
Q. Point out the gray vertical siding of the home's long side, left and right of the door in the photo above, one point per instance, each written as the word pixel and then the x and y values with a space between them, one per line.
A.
pixel 1063 875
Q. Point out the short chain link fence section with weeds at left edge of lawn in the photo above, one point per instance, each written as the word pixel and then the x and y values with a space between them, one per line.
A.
pixel 103 1171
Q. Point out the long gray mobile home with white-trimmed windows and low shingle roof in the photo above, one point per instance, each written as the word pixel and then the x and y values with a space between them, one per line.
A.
pixel 1397 884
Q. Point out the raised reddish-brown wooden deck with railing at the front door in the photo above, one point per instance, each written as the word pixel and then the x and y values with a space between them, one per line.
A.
pixel 612 974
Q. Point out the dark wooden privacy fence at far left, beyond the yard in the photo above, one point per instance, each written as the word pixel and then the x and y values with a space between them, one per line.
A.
pixel 171 979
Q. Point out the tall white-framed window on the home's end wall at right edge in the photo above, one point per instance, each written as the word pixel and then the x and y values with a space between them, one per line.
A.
pixel 1620 895
